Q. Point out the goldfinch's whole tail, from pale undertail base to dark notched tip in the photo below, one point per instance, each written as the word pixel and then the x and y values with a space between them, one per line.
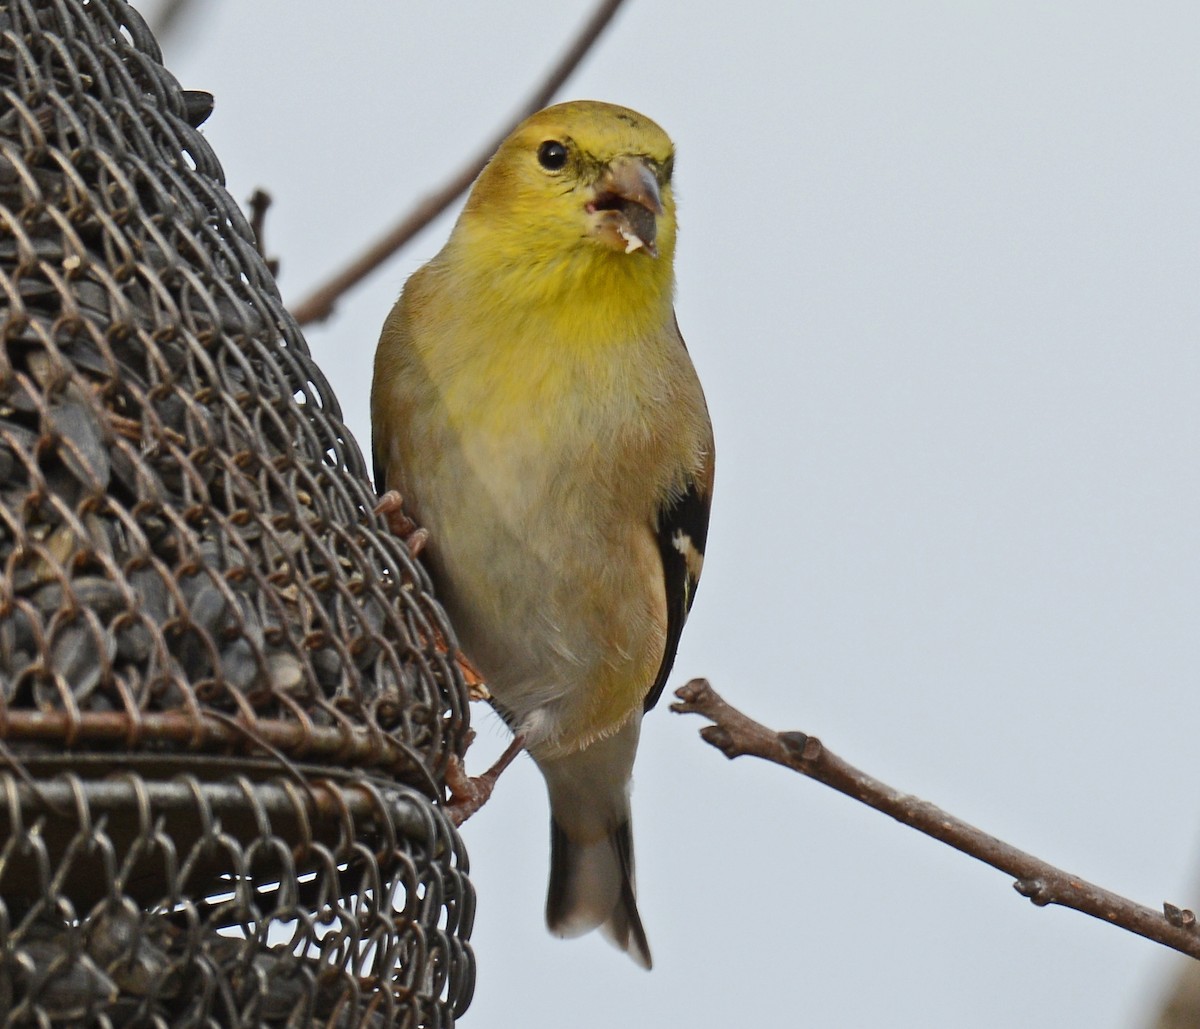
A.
pixel 592 844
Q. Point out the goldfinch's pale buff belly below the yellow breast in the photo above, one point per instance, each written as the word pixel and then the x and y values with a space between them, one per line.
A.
pixel 555 592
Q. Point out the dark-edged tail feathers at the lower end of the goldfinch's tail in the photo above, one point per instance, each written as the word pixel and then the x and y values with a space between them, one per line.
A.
pixel 592 887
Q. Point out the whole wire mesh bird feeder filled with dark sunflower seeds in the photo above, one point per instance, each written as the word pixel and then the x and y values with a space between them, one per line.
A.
pixel 227 706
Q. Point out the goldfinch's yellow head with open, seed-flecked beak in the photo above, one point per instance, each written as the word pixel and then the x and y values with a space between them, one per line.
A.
pixel 580 190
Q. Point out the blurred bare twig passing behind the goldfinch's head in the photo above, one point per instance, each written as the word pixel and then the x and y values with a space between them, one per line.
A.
pixel 320 304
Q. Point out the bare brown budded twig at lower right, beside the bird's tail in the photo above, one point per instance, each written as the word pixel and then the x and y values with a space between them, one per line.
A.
pixel 735 735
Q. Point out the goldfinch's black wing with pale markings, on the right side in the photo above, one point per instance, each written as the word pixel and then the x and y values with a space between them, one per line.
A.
pixel 682 532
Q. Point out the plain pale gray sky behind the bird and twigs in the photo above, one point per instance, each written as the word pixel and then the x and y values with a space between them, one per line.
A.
pixel 939 272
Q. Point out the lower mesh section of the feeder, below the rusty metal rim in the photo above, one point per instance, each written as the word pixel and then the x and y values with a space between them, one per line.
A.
pixel 130 902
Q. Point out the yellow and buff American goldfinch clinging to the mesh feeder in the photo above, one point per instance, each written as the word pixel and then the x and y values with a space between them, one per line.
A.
pixel 537 410
